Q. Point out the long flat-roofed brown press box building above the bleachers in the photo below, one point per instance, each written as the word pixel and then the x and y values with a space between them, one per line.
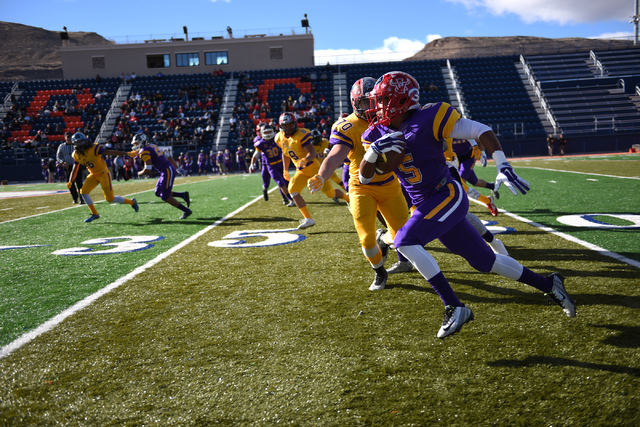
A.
pixel 179 56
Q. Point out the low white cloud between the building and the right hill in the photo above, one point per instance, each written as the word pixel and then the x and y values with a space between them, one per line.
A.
pixel 393 49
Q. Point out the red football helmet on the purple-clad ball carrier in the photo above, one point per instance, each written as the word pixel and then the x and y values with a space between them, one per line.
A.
pixel 394 94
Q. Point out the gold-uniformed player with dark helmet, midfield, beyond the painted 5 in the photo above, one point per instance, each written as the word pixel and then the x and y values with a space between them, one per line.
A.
pixel 296 145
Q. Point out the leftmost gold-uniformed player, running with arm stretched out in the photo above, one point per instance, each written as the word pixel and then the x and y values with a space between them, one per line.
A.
pixel 90 155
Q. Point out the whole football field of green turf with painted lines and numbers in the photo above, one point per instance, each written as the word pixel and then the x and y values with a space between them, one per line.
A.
pixel 235 317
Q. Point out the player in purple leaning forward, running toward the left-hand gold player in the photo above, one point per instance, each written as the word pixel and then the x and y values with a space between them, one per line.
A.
pixel 153 157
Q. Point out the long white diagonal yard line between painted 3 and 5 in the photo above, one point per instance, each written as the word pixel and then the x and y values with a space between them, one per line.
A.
pixel 56 320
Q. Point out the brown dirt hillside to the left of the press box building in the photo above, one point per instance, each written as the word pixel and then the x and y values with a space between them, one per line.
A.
pixel 31 53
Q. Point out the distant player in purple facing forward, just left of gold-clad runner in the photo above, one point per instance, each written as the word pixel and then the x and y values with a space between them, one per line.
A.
pixel 272 166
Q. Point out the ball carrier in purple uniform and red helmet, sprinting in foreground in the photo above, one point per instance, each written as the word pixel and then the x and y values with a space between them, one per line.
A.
pixel 400 124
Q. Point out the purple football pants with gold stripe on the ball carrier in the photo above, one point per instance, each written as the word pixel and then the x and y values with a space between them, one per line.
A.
pixel 443 217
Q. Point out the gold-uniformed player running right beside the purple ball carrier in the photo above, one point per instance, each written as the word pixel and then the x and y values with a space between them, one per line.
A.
pixel 382 193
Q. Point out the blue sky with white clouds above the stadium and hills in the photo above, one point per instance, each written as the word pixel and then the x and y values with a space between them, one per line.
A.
pixel 351 30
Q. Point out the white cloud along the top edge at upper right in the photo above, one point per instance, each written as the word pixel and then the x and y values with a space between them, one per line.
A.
pixel 560 11
